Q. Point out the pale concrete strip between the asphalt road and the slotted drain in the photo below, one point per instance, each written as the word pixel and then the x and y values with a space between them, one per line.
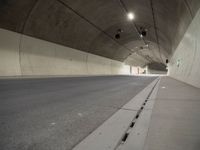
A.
pixel 110 134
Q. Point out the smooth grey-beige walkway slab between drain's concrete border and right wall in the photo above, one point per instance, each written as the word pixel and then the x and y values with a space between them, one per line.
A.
pixel 175 118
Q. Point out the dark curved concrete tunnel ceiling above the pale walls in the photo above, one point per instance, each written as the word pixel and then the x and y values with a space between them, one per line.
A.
pixel 91 25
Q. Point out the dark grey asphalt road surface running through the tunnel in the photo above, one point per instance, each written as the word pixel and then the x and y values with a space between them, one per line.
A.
pixel 57 113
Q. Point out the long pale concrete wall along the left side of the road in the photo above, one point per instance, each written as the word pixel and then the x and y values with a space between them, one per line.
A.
pixel 24 55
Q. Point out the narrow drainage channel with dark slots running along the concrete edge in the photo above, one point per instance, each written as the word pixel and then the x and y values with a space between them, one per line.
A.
pixel 132 124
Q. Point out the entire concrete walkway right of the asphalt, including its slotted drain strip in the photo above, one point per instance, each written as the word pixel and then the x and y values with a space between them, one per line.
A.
pixel 164 116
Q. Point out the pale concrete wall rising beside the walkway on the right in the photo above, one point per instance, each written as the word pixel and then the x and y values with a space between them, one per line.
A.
pixel 185 63
